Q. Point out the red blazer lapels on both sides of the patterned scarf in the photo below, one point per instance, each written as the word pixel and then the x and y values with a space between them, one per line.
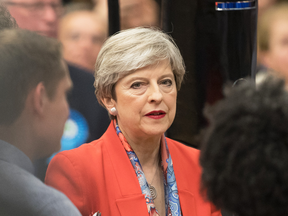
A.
pixel 131 192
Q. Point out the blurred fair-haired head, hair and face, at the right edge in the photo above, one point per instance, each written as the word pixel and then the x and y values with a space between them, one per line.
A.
pixel 273 41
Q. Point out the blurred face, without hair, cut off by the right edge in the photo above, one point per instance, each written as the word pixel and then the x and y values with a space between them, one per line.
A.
pixel 277 56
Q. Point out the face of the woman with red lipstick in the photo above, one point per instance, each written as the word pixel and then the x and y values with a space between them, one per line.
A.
pixel 146 101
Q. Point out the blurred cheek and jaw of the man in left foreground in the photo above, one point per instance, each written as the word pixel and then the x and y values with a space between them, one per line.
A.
pixel 56 114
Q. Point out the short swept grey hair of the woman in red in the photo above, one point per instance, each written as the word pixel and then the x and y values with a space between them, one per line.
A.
pixel 130 50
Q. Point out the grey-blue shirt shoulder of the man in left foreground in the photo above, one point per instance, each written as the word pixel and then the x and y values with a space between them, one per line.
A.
pixel 22 193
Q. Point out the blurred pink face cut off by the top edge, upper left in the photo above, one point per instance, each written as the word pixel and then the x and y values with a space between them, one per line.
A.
pixel 40 16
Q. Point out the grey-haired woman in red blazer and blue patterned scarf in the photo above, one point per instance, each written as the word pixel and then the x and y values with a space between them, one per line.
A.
pixel 133 169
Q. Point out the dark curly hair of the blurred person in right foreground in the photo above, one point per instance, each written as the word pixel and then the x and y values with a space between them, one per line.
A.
pixel 245 155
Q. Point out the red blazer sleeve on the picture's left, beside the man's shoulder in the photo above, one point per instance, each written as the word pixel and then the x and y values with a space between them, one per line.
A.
pixel 63 175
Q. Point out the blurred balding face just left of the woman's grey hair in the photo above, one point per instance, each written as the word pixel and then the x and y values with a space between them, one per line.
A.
pixel 82 36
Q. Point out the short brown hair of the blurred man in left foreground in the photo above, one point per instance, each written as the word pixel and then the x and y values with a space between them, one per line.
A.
pixel 26 59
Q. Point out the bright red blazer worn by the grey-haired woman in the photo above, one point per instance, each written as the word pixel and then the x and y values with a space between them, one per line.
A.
pixel 99 177
